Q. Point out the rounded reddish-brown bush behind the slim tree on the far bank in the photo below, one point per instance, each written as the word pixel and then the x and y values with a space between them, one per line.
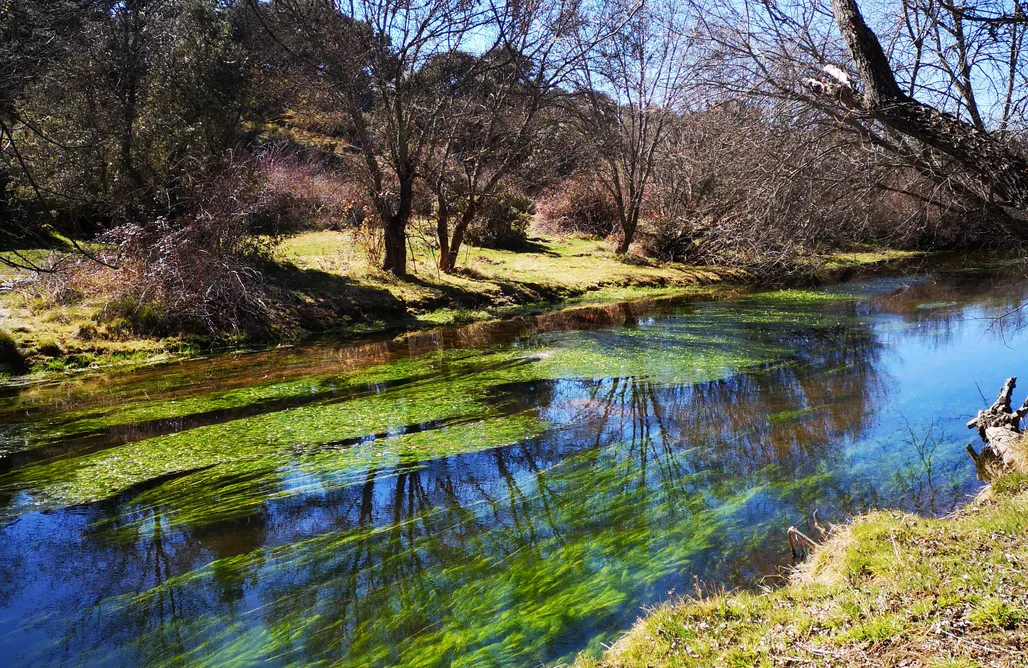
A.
pixel 579 207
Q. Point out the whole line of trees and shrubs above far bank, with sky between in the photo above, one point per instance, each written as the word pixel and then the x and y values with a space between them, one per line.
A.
pixel 730 132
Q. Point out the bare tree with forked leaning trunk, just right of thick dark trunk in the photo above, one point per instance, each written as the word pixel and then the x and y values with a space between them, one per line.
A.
pixel 495 121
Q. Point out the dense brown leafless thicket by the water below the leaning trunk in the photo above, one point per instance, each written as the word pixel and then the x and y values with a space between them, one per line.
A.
pixel 736 187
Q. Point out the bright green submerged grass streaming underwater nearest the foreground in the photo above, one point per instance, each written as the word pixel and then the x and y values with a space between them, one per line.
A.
pixel 505 609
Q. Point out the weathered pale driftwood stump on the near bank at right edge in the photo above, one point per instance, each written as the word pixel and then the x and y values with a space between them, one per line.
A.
pixel 1000 427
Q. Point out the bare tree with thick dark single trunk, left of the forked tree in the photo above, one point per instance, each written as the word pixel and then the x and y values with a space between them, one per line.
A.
pixel 373 56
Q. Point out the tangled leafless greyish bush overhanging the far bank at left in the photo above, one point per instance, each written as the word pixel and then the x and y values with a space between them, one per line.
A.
pixel 192 272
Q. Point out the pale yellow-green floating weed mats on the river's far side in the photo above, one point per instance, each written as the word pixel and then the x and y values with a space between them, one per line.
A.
pixel 431 405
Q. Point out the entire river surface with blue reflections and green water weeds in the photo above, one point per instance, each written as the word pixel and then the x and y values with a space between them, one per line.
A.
pixel 507 494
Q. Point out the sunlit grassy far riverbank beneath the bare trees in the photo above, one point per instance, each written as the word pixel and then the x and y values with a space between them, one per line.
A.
pixel 324 285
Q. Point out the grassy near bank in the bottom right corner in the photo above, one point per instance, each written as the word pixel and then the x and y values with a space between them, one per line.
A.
pixel 889 589
